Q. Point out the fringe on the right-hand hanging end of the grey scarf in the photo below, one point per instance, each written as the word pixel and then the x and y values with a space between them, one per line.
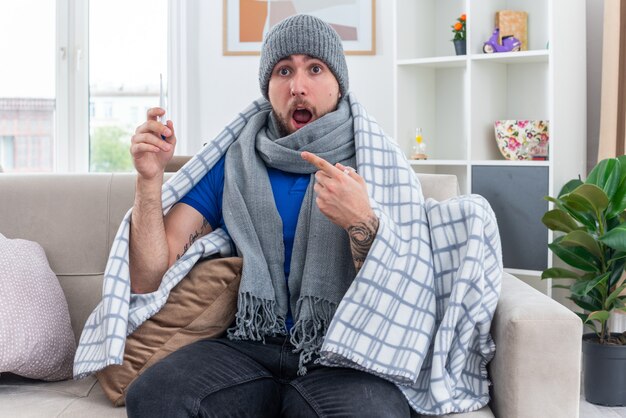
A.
pixel 307 335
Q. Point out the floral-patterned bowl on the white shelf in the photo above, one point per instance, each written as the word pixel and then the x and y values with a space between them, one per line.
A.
pixel 522 139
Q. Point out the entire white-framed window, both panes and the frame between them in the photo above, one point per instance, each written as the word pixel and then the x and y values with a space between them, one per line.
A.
pixel 79 69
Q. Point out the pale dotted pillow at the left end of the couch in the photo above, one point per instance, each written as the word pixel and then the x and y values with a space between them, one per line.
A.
pixel 36 338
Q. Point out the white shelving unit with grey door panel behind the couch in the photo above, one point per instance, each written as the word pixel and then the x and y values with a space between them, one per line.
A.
pixel 456 100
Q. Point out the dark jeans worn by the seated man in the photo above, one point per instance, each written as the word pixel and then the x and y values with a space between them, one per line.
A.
pixel 222 378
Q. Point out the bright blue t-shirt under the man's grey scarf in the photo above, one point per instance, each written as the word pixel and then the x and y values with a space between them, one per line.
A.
pixel 288 190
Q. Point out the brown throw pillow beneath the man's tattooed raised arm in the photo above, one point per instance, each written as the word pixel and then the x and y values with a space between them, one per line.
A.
pixel 202 305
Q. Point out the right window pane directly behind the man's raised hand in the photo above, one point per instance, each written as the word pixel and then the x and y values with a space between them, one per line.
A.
pixel 125 60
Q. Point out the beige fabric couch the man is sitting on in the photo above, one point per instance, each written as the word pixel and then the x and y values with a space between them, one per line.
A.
pixel 535 372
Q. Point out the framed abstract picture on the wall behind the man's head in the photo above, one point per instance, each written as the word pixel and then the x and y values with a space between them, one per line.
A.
pixel 246 21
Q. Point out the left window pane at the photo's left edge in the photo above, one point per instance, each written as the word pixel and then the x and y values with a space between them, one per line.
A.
pixel 27 85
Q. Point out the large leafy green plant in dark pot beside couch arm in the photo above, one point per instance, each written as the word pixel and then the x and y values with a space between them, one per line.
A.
pixel 590 220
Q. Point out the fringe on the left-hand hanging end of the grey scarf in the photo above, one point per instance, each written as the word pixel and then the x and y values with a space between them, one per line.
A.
pixel 256 318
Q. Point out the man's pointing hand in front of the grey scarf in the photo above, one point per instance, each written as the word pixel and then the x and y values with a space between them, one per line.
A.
pixel 341 192
